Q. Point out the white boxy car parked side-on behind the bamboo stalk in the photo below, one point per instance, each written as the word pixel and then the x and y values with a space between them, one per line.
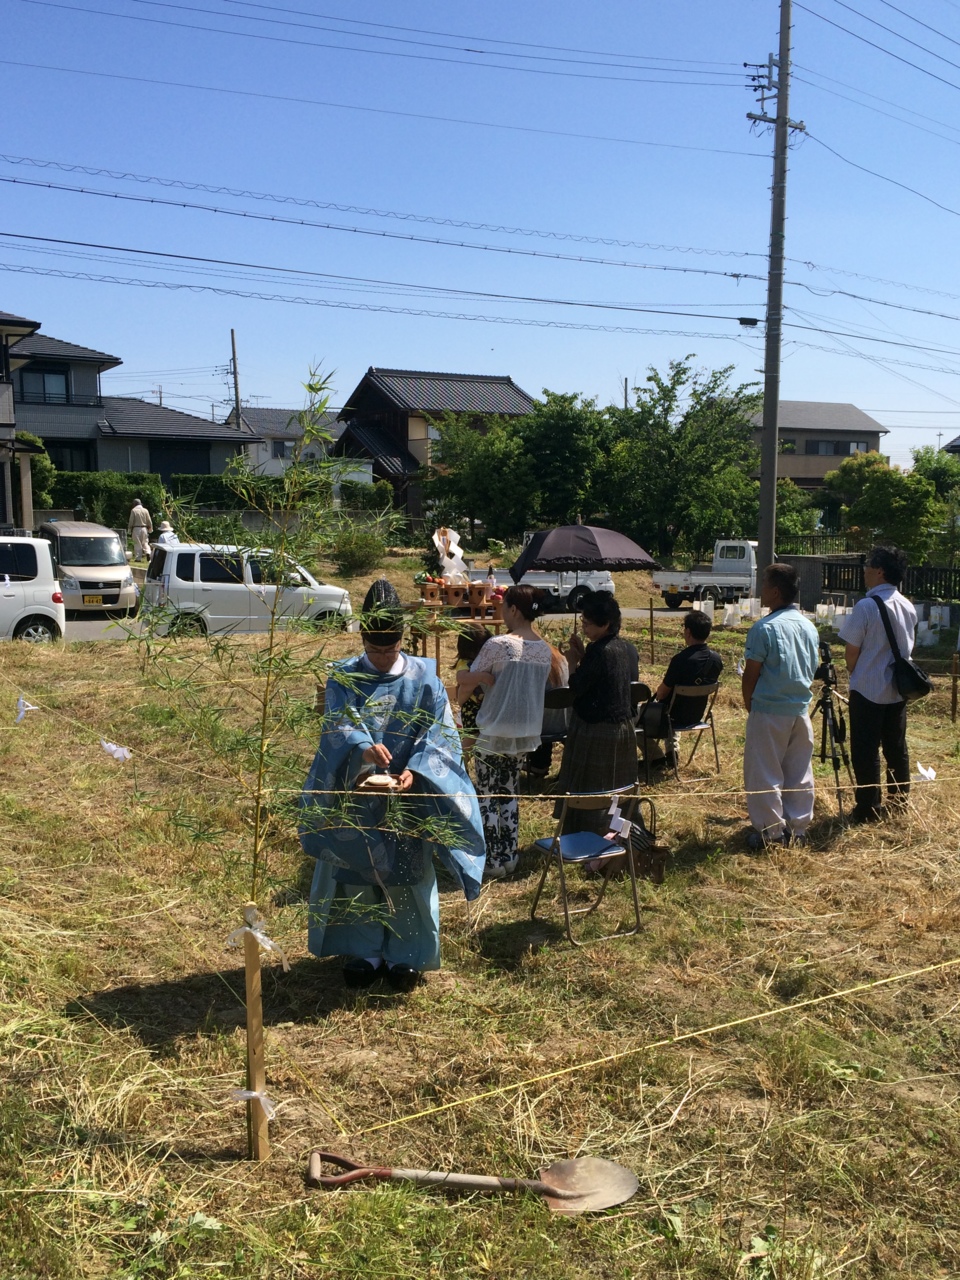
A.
pixel 204 589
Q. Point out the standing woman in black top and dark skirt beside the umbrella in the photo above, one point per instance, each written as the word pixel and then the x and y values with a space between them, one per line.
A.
pixel 601 749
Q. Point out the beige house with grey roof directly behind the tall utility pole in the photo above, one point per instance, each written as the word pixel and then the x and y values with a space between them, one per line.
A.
pixel 817 436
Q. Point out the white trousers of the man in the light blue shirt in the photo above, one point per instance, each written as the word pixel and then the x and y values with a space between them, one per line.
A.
pixel 779 772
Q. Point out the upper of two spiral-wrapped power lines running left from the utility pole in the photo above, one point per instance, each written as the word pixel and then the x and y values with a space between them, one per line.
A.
pixel 308 203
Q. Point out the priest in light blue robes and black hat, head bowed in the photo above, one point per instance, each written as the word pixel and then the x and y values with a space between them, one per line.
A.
pixel 374 897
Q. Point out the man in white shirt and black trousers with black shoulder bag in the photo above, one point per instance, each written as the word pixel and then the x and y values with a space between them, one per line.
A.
pixel 880 639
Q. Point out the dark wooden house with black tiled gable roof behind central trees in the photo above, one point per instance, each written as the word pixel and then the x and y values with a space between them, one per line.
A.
pixel 390 419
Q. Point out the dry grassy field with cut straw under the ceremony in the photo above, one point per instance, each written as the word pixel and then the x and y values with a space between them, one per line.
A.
pixel 821 1142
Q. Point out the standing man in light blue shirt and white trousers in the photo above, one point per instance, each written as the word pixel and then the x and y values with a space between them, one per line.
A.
pixel 780 664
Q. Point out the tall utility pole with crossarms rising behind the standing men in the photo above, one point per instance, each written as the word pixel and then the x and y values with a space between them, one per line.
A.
pixel 783 125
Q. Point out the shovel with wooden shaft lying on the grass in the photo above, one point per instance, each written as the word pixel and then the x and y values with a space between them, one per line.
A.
pixel 579 1186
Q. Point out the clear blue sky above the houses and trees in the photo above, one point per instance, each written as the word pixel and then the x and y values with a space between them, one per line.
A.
pixel 624 122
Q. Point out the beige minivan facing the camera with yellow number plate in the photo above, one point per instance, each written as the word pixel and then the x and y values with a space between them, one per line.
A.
pixel 92 564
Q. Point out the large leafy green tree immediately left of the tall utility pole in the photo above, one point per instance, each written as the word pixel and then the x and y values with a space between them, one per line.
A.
pixel 679 469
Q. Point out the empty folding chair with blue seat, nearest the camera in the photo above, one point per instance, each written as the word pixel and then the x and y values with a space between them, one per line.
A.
pixel 582 847
